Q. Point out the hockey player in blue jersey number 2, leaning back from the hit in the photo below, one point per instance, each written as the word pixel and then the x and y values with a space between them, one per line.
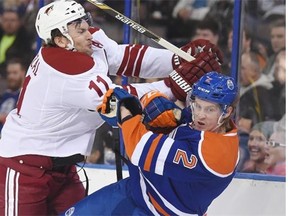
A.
pixel 179 173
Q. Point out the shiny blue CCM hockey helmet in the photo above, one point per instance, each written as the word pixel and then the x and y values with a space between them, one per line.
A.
pixel 217 88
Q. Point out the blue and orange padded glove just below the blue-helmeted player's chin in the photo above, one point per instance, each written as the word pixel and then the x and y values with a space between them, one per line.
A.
pixel 160 114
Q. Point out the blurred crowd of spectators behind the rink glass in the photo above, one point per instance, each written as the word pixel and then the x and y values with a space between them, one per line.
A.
pixel 261 115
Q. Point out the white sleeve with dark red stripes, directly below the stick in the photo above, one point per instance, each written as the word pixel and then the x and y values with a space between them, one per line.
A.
pixel 134 60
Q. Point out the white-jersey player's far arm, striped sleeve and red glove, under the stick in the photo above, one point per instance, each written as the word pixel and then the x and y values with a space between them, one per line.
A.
pixel 147 62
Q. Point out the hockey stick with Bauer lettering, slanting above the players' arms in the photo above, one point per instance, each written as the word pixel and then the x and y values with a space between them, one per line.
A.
pixel 164 43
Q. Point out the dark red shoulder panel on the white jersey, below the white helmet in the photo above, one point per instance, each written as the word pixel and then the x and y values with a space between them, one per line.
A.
pixel 67 62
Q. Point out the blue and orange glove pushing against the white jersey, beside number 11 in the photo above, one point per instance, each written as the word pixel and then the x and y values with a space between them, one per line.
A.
pixel 113 99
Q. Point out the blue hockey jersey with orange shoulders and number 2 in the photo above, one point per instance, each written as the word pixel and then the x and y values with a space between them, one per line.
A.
pixel 179 174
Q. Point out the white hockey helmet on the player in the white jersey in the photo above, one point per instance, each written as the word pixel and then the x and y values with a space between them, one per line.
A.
pixel 57 15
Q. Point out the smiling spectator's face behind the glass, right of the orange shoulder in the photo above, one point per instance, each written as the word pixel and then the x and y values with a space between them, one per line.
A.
pixel 256 146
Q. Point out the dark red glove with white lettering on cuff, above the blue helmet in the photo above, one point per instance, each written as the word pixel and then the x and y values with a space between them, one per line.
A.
pixel 181 79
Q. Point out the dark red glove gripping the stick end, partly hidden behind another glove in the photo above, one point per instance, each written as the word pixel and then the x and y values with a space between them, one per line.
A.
pixel 194 48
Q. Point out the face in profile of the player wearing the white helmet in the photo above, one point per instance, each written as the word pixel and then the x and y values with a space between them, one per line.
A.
pixel 82 38
